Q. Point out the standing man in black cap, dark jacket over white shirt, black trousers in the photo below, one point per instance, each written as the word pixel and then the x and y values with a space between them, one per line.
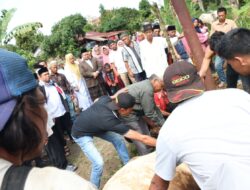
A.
pixel 58 110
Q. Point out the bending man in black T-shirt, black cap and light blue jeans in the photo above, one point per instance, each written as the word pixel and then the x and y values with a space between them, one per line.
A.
pixel 101 120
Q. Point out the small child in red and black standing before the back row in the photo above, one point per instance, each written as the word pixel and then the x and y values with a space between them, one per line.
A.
pixel 112 79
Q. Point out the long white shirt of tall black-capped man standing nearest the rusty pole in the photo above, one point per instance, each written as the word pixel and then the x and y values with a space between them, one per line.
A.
pixel 153 56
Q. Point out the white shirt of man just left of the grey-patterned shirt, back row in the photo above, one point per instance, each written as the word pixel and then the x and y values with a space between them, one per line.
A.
pixel 116 58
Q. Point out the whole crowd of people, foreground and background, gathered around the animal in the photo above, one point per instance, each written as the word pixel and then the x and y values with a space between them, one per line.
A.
pixel 130 88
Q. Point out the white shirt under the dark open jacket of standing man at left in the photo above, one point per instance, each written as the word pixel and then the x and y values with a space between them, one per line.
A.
pixel 54 106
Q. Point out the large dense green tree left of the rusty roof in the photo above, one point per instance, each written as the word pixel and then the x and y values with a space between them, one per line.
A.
pixel 66 37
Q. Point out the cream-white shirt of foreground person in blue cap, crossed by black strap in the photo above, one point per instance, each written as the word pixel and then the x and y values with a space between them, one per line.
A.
pixel 49 178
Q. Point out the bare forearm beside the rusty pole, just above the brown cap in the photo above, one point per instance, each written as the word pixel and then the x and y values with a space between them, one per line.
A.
pixel 206 62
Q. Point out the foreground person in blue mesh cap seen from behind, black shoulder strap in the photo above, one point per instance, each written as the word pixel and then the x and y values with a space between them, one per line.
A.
pixel 23 131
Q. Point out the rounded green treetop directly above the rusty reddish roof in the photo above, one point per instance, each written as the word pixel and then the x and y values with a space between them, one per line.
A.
pixel 120 19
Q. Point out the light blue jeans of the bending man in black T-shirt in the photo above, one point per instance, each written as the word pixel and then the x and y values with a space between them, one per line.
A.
pixel 89 149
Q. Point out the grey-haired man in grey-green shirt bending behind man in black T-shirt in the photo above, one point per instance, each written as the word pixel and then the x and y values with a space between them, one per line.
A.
pixel 143 92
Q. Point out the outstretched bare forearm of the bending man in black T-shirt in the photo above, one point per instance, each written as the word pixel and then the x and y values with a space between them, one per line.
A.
pixel 145 139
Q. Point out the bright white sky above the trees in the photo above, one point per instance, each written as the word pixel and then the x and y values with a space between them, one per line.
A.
pixel 49 12
